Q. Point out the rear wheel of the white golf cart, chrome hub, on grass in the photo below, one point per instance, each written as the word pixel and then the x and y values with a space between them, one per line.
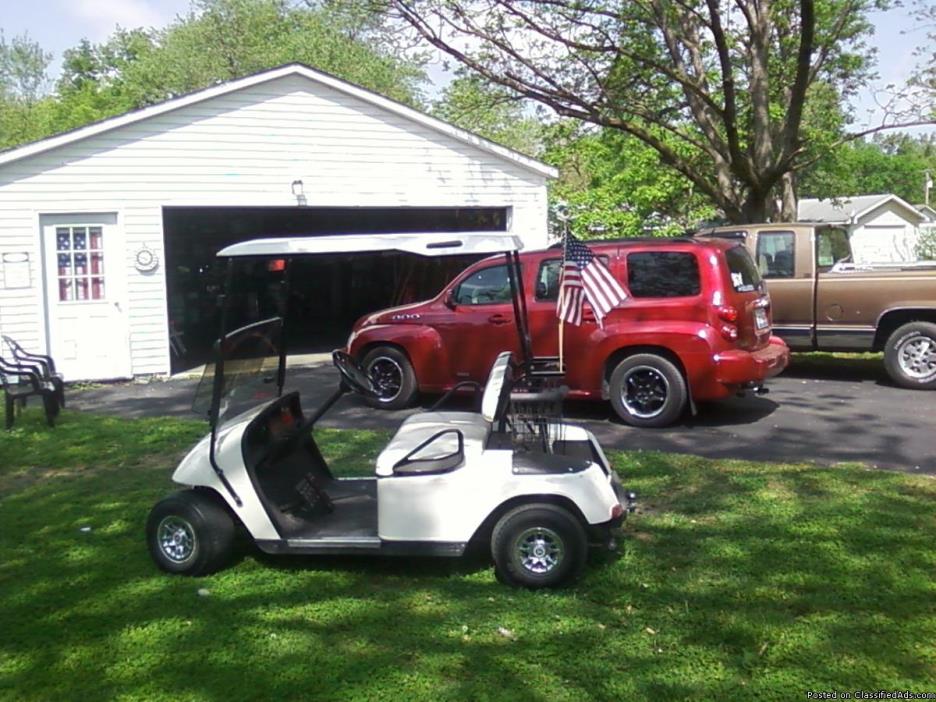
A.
pixel 539 545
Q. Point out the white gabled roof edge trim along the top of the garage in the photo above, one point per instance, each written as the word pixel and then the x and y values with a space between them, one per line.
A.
pixel 293 69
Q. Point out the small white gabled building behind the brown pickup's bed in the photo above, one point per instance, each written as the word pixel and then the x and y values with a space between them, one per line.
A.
pixel 881 228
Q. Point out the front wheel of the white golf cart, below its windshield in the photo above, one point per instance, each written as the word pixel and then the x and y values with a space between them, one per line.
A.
pixel 190 533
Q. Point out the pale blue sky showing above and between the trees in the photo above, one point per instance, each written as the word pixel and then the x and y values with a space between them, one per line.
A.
pixel 60 24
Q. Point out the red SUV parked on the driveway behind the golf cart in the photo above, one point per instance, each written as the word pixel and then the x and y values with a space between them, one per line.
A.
pixel 695 326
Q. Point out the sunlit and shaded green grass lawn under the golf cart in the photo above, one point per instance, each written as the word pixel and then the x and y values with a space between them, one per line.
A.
pixel 736 580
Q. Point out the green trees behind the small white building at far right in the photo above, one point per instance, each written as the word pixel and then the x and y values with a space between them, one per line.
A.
pixel 895 163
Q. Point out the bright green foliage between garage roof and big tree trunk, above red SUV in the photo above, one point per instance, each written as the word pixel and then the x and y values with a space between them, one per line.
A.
pixel 617 186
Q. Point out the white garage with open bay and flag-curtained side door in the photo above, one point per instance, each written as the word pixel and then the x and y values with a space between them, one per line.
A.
pixel 107 232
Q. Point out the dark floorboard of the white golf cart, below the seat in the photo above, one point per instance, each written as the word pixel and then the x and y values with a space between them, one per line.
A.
pixel 354 516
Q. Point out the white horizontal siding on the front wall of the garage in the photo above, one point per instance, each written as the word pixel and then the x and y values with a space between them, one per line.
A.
pixel 242 148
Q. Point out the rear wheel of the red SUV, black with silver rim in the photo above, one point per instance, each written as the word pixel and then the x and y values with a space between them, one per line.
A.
pixel 648 391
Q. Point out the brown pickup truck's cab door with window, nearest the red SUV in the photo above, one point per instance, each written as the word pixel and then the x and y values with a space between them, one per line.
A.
pixel 786 261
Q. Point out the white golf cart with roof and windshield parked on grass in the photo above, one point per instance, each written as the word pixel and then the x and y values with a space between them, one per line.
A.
pixel 539 491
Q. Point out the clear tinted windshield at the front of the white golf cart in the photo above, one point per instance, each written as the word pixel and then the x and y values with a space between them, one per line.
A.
pixel 247 371
